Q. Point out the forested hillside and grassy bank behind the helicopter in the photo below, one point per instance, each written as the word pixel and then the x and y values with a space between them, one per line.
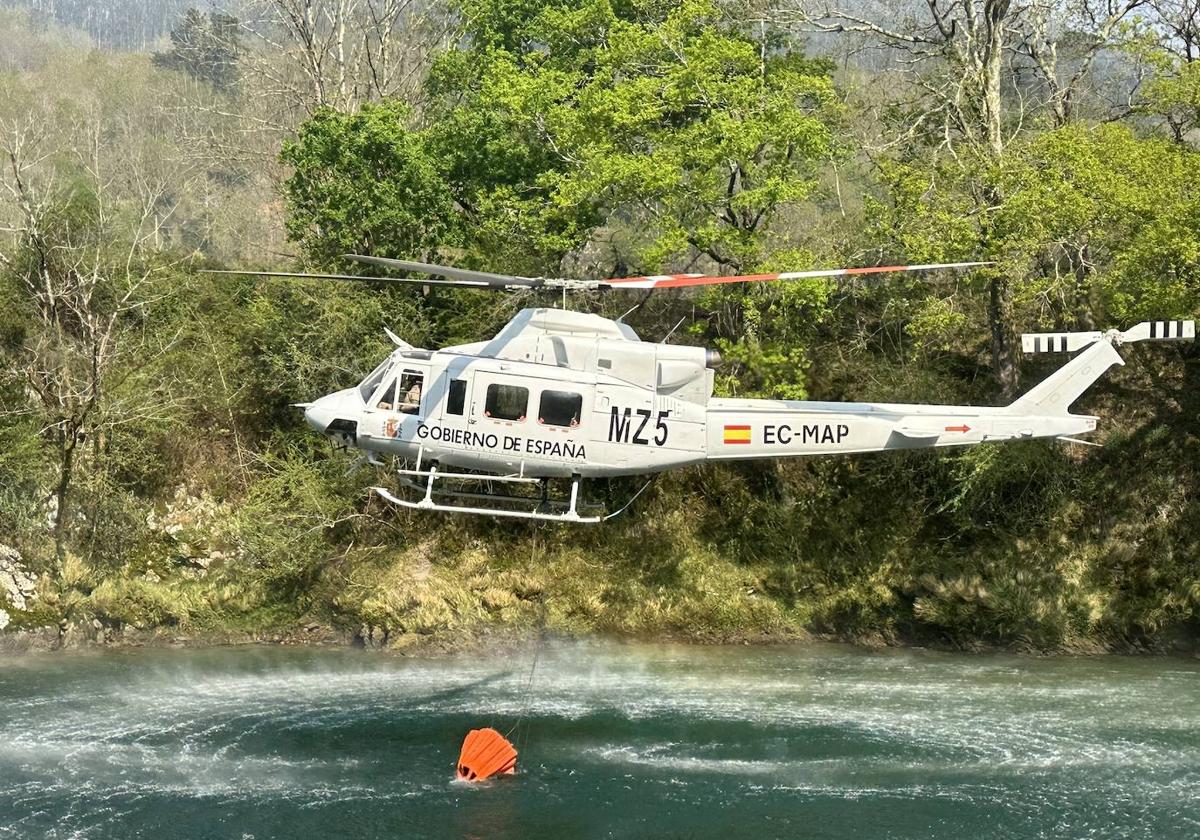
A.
pixel 154 475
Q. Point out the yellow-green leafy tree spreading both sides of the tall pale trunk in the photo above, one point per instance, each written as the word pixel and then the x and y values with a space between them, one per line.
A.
pixel 1099 225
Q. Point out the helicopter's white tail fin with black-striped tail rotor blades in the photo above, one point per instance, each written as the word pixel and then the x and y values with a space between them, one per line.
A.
pixel 1055 394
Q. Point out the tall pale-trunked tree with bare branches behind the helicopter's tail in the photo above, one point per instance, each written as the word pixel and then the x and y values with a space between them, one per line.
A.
pixel 989 71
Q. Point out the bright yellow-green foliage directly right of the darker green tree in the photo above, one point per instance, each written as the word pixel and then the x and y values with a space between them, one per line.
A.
pixel 681 118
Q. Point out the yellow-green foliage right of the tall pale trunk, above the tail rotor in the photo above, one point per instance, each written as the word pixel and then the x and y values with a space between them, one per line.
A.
pixel 1108 221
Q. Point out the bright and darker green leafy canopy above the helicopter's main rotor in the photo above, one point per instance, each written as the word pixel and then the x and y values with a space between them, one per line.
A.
pixel 559 119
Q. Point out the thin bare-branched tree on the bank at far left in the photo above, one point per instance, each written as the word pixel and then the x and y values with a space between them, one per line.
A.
pixel 81 224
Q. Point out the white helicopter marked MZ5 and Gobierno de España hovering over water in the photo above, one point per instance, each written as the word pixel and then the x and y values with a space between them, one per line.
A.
pixel 569 395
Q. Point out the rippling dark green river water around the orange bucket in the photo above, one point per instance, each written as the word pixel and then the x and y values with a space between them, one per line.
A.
pixel 620 741
